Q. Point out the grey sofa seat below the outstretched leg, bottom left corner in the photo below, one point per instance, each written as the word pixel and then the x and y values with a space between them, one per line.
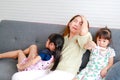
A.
pixel 7 68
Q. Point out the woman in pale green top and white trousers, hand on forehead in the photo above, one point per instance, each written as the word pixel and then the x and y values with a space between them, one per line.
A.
pixel 76 36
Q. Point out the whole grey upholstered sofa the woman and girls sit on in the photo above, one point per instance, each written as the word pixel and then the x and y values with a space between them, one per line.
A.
pixel 20 34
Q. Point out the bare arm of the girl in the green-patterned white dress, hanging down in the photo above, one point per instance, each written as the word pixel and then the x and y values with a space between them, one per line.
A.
pixel 104 70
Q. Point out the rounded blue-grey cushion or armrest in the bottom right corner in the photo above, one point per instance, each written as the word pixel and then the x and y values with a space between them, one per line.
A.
pixel 114 72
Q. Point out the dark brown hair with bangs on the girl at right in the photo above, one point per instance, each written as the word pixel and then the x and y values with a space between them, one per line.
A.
pixel 104 33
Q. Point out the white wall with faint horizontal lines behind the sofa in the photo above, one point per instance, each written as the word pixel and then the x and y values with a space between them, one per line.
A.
pixel 98 12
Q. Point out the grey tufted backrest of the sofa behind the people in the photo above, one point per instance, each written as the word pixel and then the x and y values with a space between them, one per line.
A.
pixel 20 34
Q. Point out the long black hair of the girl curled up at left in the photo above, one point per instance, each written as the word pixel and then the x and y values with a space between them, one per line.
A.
pixel 58 41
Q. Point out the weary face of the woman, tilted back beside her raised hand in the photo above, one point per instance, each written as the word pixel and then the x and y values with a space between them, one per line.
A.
pixel 75 25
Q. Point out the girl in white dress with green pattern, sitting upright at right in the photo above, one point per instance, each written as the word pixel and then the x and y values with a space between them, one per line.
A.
pixel 101 58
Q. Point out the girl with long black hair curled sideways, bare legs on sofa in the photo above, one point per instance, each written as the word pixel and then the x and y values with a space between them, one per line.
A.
pixel 41 60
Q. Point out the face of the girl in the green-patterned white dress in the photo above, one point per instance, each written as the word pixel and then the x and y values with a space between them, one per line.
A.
pixel 102 42
